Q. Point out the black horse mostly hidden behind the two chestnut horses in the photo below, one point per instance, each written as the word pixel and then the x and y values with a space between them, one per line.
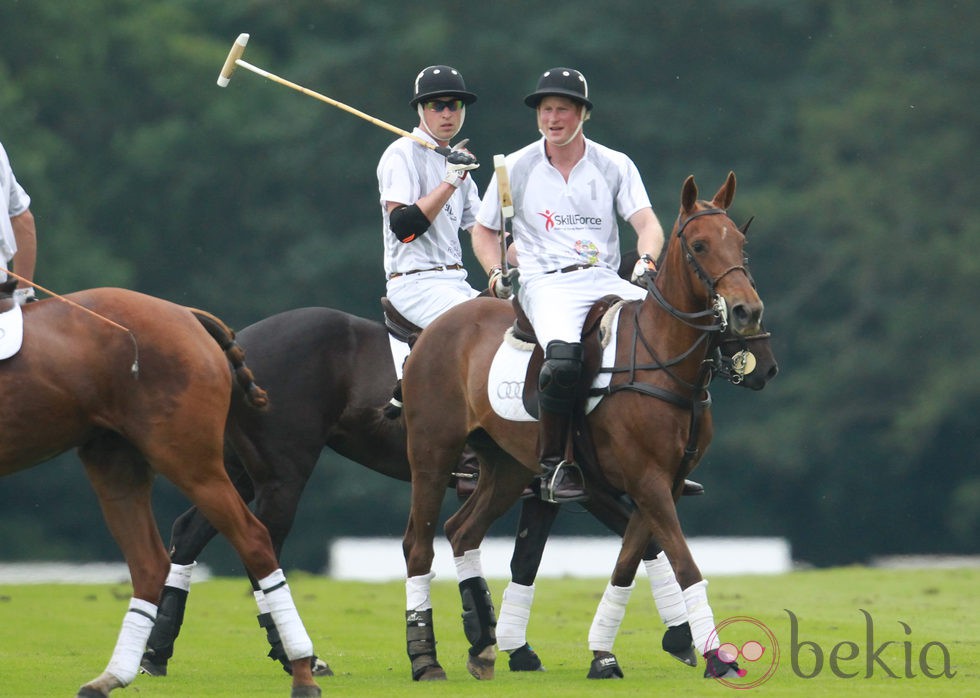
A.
pixel 328 373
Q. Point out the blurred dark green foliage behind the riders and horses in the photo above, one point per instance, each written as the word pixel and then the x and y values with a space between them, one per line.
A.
pixel 851 127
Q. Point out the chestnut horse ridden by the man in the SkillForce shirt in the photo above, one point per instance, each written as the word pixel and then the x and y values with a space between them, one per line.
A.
pixel 642 433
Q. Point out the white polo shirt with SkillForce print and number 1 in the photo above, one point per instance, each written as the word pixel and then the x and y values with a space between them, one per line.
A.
pixel 557 223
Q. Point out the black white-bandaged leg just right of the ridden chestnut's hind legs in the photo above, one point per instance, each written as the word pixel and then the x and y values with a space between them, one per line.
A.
pixel 537 518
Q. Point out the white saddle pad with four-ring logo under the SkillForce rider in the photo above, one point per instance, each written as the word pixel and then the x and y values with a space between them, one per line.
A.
pixel 505 383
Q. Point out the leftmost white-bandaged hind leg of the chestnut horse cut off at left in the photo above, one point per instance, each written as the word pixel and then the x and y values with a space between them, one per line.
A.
pixel 122 480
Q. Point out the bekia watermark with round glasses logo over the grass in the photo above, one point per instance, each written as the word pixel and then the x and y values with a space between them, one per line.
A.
pixel 755 647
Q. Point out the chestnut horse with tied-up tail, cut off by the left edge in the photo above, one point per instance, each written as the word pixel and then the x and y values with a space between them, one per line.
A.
pixel 140 386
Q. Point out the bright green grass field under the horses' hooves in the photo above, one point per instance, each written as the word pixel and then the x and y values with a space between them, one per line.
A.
pixel 53 638
